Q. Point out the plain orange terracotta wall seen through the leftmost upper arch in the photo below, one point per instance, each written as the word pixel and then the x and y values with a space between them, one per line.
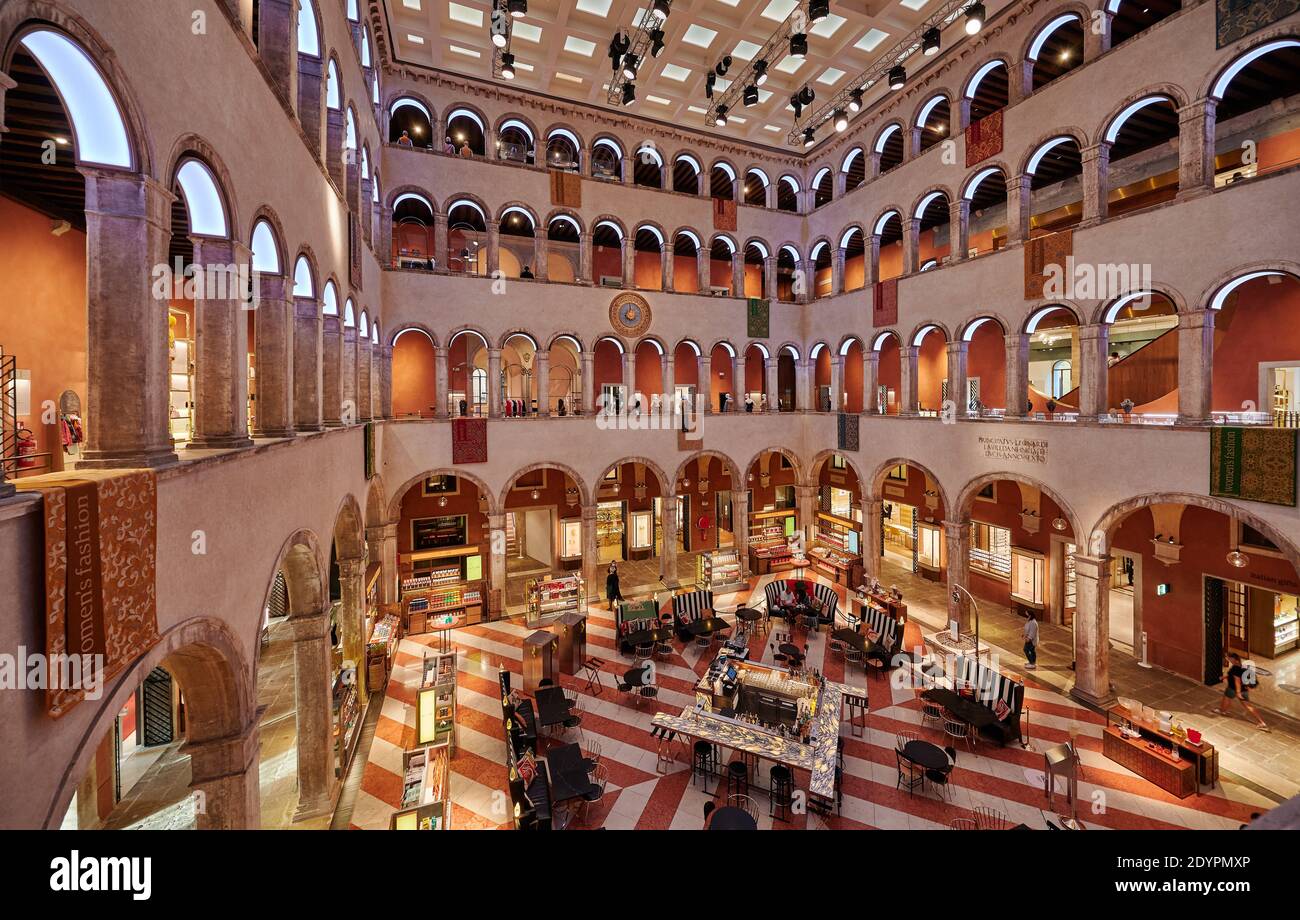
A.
pixel 44 314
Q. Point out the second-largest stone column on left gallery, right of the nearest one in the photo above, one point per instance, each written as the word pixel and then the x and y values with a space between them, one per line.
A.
pixel 222 351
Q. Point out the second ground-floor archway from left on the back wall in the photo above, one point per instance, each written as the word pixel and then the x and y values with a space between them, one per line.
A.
pixel 544 545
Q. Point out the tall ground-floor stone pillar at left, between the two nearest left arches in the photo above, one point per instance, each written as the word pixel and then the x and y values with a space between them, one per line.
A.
pixel 313 714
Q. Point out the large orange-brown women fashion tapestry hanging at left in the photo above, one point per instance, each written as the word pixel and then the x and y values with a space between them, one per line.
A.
pixel 101 574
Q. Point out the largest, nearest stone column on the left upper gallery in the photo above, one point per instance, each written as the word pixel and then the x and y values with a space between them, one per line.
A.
pixel 128 231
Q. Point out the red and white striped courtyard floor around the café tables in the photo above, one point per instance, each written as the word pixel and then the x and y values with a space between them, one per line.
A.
pixel 638 797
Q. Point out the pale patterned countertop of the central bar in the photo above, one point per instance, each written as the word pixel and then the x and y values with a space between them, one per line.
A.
pixel 818 757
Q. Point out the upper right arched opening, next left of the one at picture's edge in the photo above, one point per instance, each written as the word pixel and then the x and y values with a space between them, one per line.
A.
pixel 1143 170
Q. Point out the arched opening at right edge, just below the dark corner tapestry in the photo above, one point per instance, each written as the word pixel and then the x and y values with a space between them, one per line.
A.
pixel 1255 132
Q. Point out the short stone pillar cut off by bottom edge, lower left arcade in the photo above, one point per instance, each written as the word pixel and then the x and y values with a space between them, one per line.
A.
pixel 226 773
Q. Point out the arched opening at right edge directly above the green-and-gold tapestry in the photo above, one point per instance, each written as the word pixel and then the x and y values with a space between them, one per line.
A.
pixel 1256 341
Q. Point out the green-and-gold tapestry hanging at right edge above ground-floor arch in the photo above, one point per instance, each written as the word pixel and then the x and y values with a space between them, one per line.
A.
pixel 1256 465
